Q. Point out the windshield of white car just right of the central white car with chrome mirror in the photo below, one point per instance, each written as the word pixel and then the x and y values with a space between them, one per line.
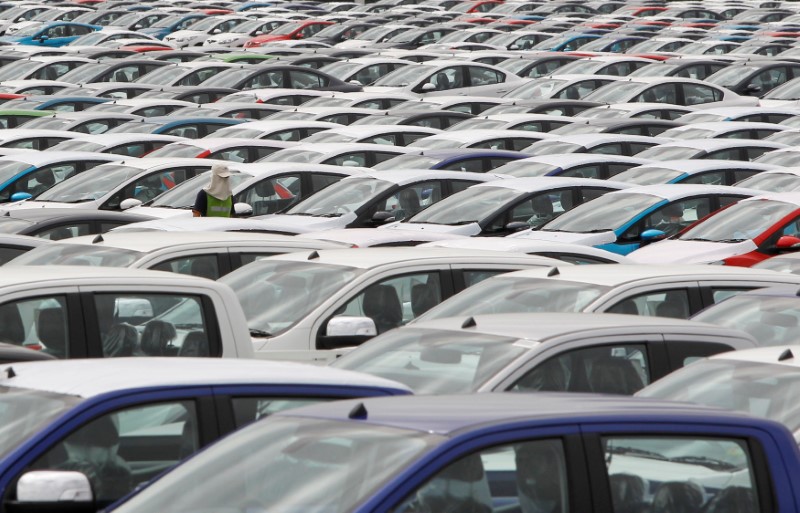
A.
pixel 506 294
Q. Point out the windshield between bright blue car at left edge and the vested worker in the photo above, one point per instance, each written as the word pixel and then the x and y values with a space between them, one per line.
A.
pixel 89 185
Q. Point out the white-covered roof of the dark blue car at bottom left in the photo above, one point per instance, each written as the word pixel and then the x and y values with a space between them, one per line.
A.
pixel 92 377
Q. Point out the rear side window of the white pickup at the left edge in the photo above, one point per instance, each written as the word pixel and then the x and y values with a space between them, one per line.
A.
pixel 133 324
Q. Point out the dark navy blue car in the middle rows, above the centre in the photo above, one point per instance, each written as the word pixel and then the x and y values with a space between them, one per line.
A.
pixel 459 159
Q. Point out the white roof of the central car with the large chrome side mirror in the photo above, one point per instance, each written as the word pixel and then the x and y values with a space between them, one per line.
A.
pixel 367 258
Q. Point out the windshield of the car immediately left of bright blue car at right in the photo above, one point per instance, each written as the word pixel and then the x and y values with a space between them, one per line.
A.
pixel 468 206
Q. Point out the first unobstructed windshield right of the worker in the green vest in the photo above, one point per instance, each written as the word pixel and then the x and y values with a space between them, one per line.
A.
pixel 344 196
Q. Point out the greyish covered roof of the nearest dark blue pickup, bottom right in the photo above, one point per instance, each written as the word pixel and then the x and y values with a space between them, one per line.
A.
pixel 450 414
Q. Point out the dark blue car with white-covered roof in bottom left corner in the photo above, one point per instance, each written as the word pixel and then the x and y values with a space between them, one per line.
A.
pixel 122 421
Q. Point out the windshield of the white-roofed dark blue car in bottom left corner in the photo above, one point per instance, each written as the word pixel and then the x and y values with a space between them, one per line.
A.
pixel 24 412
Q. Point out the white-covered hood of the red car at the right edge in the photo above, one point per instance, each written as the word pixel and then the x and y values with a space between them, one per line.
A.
pixel 689 252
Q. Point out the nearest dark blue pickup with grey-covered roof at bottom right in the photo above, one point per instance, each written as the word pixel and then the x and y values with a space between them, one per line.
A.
pixel 485 453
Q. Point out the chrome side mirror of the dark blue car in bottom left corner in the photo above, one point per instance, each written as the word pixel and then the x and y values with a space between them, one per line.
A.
pixel 51 490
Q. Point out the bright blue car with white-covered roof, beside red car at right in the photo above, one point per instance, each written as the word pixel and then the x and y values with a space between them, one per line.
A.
pixel 623 221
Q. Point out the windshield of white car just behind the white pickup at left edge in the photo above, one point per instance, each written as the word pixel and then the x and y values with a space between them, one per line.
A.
pixel 77 254
